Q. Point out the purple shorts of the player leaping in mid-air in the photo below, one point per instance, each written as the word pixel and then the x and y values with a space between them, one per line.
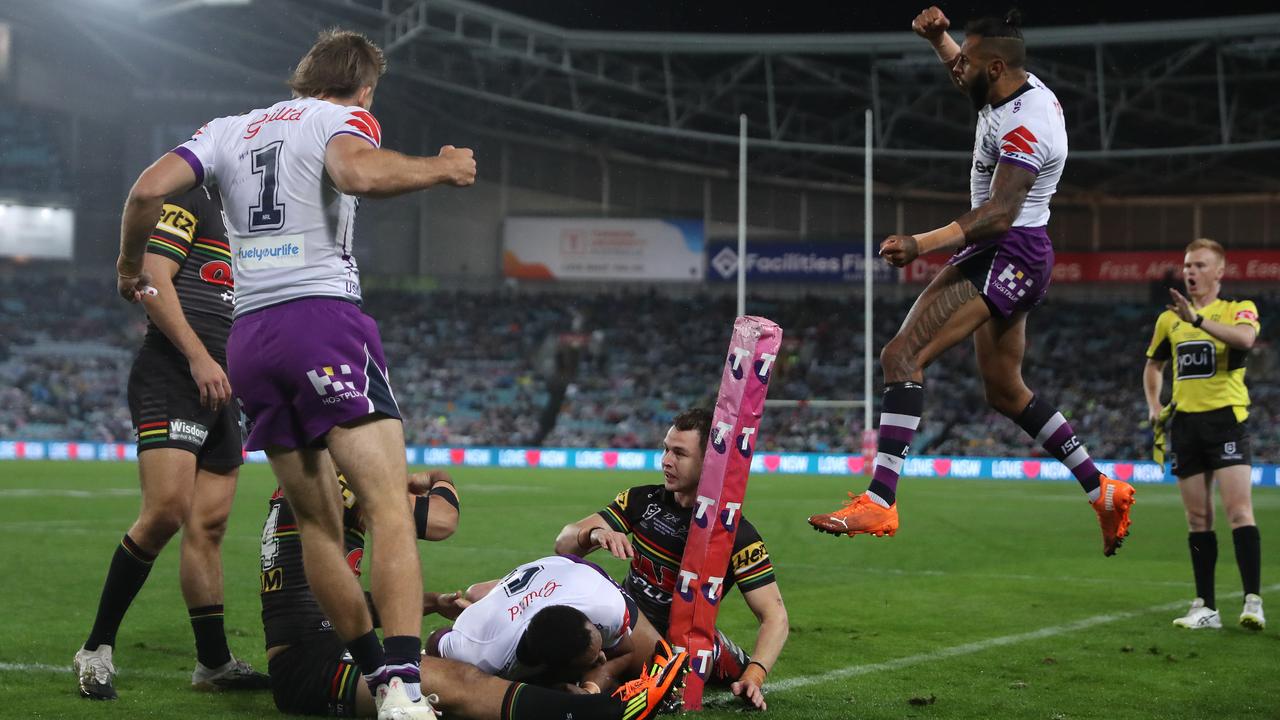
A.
pixel 1012 272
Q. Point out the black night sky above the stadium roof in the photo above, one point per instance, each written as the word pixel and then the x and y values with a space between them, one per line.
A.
pixel 717 16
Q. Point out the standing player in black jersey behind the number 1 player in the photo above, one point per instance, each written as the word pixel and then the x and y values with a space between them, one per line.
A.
pixel 189 439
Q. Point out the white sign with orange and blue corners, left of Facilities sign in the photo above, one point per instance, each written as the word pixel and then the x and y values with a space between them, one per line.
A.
pixel 596 249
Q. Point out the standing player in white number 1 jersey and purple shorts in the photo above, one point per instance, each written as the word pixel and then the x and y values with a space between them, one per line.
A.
pixel 305 363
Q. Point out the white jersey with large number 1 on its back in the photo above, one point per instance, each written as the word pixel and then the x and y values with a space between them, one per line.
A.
pixel 290 229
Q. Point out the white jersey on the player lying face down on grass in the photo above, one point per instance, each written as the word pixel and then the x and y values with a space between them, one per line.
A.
pixel 488 632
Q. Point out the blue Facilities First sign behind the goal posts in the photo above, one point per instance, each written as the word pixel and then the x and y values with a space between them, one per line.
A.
pixel 796 262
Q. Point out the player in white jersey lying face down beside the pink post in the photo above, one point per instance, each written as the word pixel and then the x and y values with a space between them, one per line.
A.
pixel 557 619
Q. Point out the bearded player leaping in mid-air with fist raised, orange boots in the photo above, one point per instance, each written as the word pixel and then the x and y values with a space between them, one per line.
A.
pixel 1000 271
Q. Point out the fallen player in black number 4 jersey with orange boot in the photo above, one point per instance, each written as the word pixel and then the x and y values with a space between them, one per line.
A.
pixel 314 675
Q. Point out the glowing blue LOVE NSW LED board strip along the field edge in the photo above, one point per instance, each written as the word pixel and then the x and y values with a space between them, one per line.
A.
pixel 650 461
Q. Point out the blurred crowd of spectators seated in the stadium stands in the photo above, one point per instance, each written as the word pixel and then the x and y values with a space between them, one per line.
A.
pixel 612 370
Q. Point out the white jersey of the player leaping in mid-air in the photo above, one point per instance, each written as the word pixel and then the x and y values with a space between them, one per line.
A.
pixel 1025 130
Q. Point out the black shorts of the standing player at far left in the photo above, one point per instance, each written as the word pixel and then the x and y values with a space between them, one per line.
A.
pixel 164 403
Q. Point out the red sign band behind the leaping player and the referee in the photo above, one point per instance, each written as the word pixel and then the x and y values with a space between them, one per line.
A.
pixel 1254 266
